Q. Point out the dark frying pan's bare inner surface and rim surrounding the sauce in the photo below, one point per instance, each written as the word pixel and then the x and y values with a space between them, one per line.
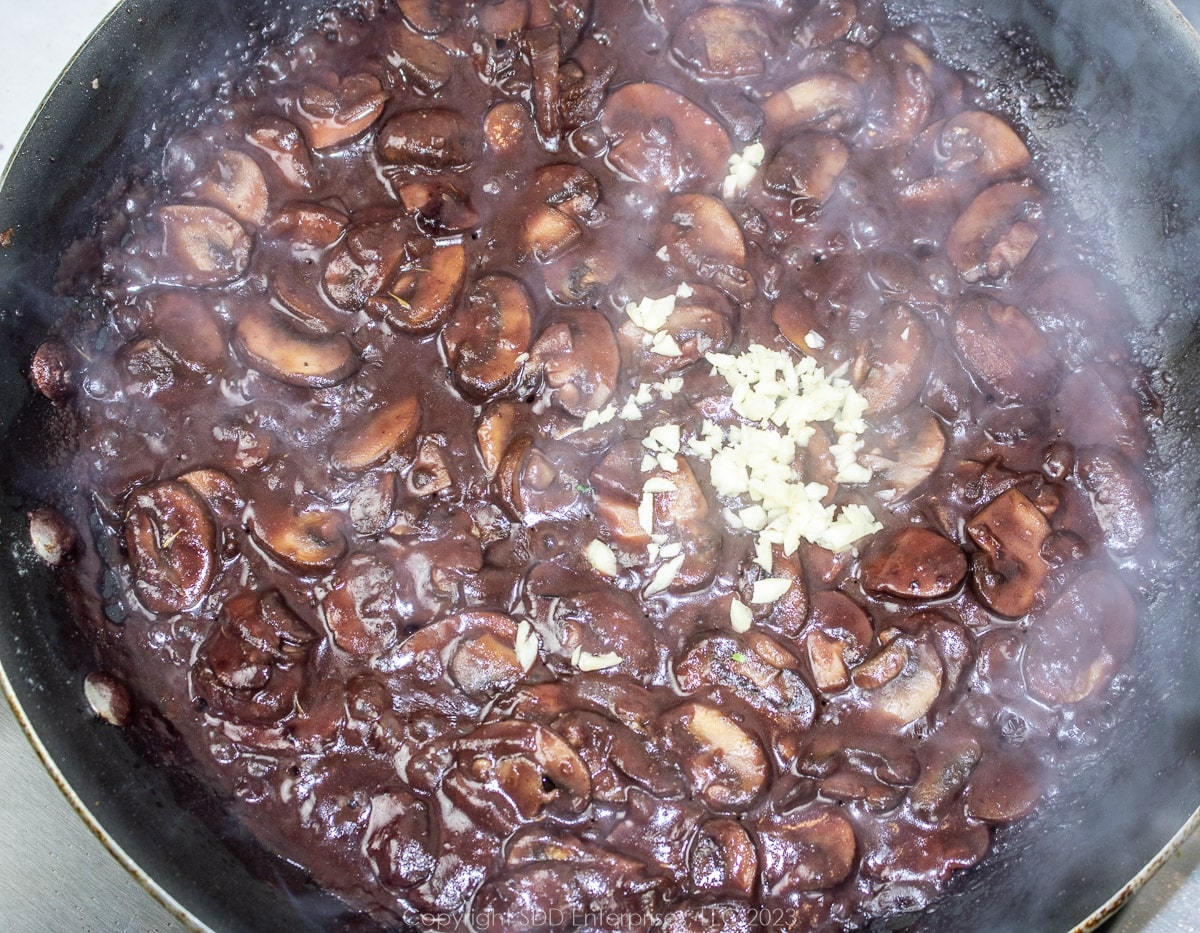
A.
pixel 1109 91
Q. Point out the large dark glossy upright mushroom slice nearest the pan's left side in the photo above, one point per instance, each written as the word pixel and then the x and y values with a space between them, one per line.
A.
pixel 172 545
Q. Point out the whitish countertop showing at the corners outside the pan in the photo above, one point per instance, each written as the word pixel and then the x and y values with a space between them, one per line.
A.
pixel 43 842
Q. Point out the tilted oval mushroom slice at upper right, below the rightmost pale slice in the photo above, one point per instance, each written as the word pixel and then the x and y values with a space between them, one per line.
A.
pixel 997 232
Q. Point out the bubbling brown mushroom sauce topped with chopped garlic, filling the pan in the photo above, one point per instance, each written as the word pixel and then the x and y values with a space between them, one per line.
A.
pixel 404 432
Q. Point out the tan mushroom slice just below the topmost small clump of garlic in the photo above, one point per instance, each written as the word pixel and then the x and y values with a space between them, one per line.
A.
pixel 701 236
